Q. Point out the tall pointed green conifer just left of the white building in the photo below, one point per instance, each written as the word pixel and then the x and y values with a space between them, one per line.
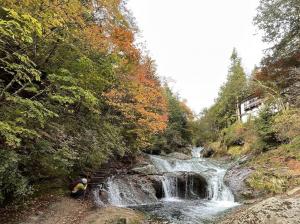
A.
pixel 224 112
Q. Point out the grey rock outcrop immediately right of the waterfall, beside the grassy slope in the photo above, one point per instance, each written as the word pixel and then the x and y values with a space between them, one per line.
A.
pixel 235 180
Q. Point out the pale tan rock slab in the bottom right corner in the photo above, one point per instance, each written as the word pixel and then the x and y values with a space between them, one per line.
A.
pixel 274 210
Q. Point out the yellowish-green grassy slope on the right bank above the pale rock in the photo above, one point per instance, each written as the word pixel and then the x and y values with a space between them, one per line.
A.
pixel 276 170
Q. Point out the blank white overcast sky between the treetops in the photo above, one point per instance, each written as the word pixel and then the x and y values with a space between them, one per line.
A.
pixel 192 40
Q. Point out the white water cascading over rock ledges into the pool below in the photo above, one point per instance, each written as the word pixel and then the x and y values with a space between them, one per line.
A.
pixel 193 191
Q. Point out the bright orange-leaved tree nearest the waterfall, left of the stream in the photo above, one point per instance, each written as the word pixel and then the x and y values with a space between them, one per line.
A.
pixel 140 102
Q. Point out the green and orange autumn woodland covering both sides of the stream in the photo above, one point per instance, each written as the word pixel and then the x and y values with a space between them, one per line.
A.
pixel 76 91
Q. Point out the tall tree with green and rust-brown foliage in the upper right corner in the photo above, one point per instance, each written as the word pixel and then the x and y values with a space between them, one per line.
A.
pixel 280 22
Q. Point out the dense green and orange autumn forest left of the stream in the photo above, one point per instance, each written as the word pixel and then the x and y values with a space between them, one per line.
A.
pixel 76 91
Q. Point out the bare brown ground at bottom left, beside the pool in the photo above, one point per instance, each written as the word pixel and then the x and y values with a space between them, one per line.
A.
pixel 65 210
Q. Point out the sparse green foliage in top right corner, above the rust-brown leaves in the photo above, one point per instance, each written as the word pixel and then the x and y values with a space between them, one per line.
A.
pixel 280 22
